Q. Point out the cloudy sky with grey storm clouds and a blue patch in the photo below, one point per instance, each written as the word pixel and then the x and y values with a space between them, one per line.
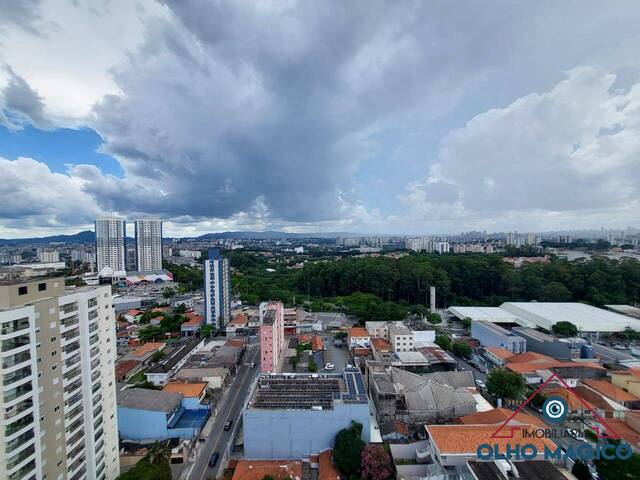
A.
pixel 359 115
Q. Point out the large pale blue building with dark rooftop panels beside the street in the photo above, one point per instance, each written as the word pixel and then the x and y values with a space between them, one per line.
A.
pixel 294 416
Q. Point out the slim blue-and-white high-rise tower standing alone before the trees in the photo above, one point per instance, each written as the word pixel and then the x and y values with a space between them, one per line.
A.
pixel 217 290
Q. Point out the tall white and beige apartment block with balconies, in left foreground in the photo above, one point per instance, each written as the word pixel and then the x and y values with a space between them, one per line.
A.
pixel 57 365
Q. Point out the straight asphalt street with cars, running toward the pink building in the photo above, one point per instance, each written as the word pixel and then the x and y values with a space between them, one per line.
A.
pixel 230 409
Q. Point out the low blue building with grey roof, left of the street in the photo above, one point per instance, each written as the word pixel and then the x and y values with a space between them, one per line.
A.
pixel 146 415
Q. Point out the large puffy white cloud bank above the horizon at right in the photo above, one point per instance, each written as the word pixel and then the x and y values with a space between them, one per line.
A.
pixel 573 152
